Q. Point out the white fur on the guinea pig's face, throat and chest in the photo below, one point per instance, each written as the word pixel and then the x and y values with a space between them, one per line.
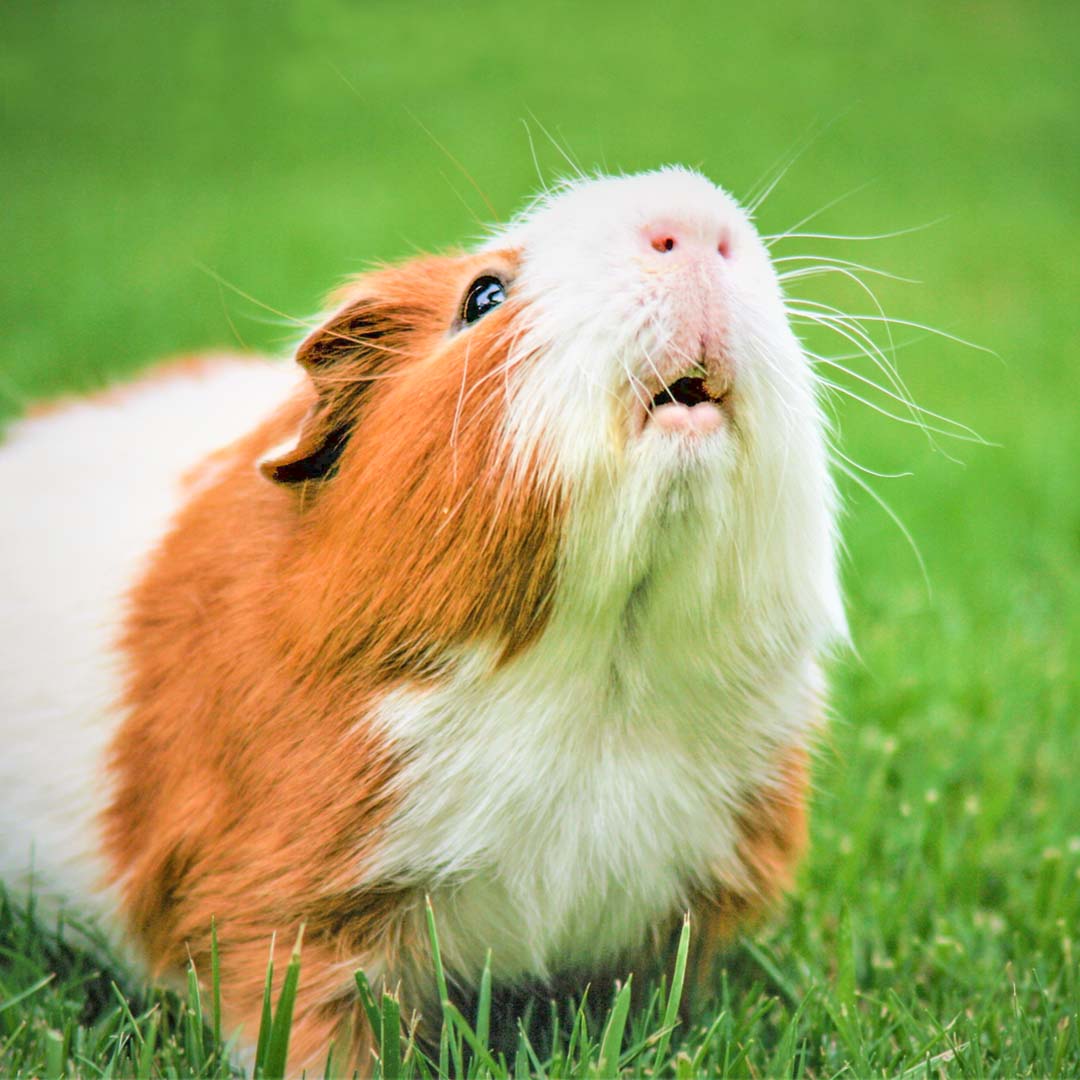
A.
pixel 564 804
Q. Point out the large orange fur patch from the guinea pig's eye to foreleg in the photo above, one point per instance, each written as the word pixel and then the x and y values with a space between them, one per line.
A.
pixel 274 617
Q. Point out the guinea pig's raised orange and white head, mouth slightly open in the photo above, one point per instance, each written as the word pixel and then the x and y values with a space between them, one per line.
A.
pixel 606 393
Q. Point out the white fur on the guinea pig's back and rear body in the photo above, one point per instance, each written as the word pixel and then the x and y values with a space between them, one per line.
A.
pixel 90 490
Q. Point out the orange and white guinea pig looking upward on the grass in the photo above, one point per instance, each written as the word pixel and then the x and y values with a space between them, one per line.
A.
pixel 514 595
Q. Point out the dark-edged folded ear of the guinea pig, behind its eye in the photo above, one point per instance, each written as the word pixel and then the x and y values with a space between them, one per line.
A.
pixel 344 359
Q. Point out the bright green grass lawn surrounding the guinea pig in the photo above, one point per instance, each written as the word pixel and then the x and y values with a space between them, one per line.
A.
pixel 933 931
